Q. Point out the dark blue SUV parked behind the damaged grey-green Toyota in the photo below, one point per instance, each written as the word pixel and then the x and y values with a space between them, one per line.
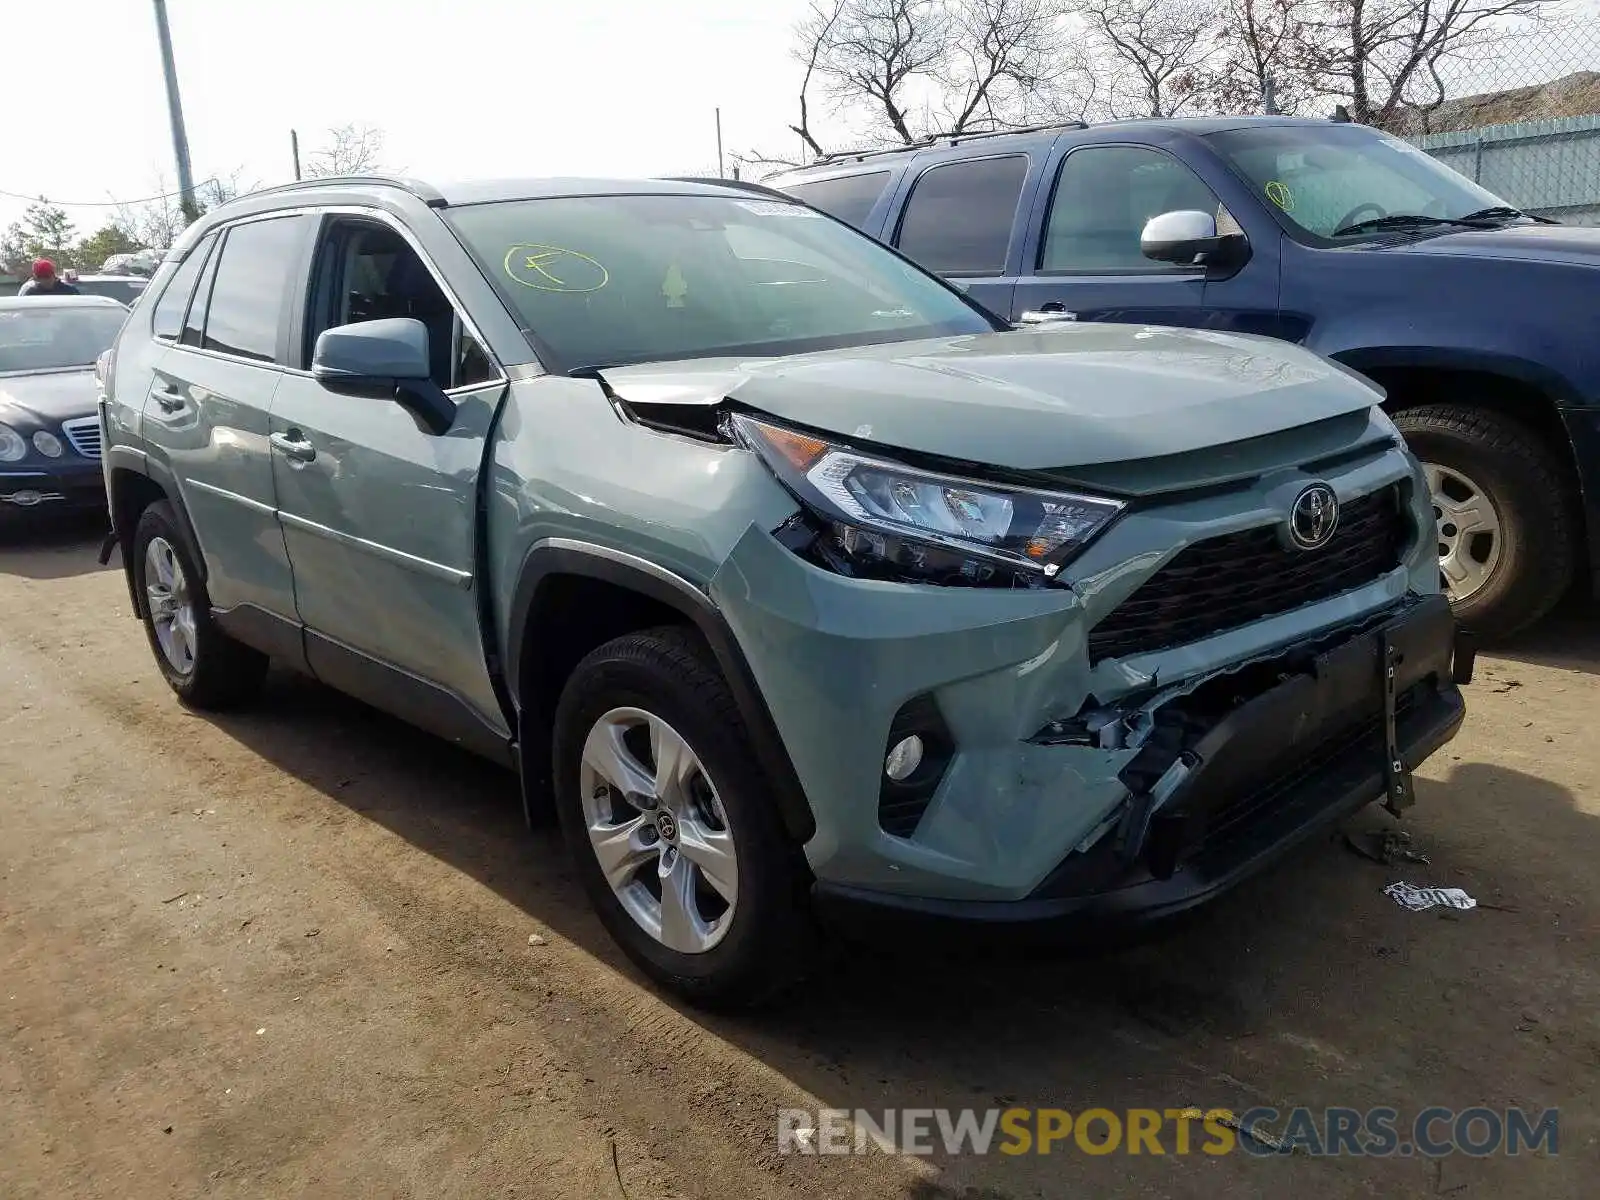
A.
pixel 1476 319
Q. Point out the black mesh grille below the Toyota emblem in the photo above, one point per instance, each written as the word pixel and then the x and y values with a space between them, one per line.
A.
pixel 1230 582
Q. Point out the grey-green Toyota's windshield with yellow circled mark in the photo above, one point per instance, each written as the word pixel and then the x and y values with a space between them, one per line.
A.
pixel 626 279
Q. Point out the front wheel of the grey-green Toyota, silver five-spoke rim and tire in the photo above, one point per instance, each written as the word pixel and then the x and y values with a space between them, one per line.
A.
pixel 761 943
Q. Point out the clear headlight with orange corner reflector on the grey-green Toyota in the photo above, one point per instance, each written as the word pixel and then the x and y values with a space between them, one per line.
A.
pixel 889 519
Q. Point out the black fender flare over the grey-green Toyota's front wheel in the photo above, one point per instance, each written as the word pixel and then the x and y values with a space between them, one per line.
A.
pixel 564 558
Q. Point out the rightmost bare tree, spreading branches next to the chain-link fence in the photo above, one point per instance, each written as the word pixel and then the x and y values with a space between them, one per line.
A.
pixel 1390 58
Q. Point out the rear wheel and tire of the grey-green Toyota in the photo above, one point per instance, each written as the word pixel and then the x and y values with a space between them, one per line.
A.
pixel 217 673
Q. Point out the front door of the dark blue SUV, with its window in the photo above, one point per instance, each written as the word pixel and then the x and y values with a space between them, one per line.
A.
pixel 1084 250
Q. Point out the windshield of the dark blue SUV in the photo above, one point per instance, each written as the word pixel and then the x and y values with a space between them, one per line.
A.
pixel 1326 180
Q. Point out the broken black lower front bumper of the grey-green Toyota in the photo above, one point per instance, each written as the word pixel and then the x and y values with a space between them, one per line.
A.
pixel 1230 775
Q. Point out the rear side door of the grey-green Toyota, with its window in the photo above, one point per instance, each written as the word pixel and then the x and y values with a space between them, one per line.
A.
pixel 206 417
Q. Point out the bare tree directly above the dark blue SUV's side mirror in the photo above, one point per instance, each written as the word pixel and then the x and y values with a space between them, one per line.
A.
pixel 1154 54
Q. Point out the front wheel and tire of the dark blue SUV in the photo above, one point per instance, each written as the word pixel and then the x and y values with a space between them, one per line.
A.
pixel 1526 486
